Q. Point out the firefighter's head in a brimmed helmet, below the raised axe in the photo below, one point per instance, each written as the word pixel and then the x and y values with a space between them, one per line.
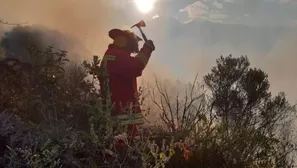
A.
pixel 125 39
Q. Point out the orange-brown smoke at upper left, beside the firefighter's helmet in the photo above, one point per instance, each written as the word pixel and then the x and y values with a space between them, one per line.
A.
pixel 73 25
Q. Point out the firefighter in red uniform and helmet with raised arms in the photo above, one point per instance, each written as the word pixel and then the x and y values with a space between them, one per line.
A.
pixel 121 72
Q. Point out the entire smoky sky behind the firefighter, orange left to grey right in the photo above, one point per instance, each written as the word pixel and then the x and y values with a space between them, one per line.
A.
pixel 189 35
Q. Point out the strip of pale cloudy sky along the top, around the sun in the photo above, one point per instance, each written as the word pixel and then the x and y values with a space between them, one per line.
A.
pixel 249 12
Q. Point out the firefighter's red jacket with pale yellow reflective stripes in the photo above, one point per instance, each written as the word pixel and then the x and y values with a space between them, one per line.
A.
pixel 122 70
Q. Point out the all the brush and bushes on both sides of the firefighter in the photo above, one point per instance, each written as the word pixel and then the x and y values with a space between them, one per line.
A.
pixel 52 115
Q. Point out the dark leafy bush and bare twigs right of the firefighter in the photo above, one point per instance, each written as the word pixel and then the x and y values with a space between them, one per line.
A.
pixel 239 122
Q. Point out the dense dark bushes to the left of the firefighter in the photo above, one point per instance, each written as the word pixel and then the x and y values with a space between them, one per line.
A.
pixel 52 115
